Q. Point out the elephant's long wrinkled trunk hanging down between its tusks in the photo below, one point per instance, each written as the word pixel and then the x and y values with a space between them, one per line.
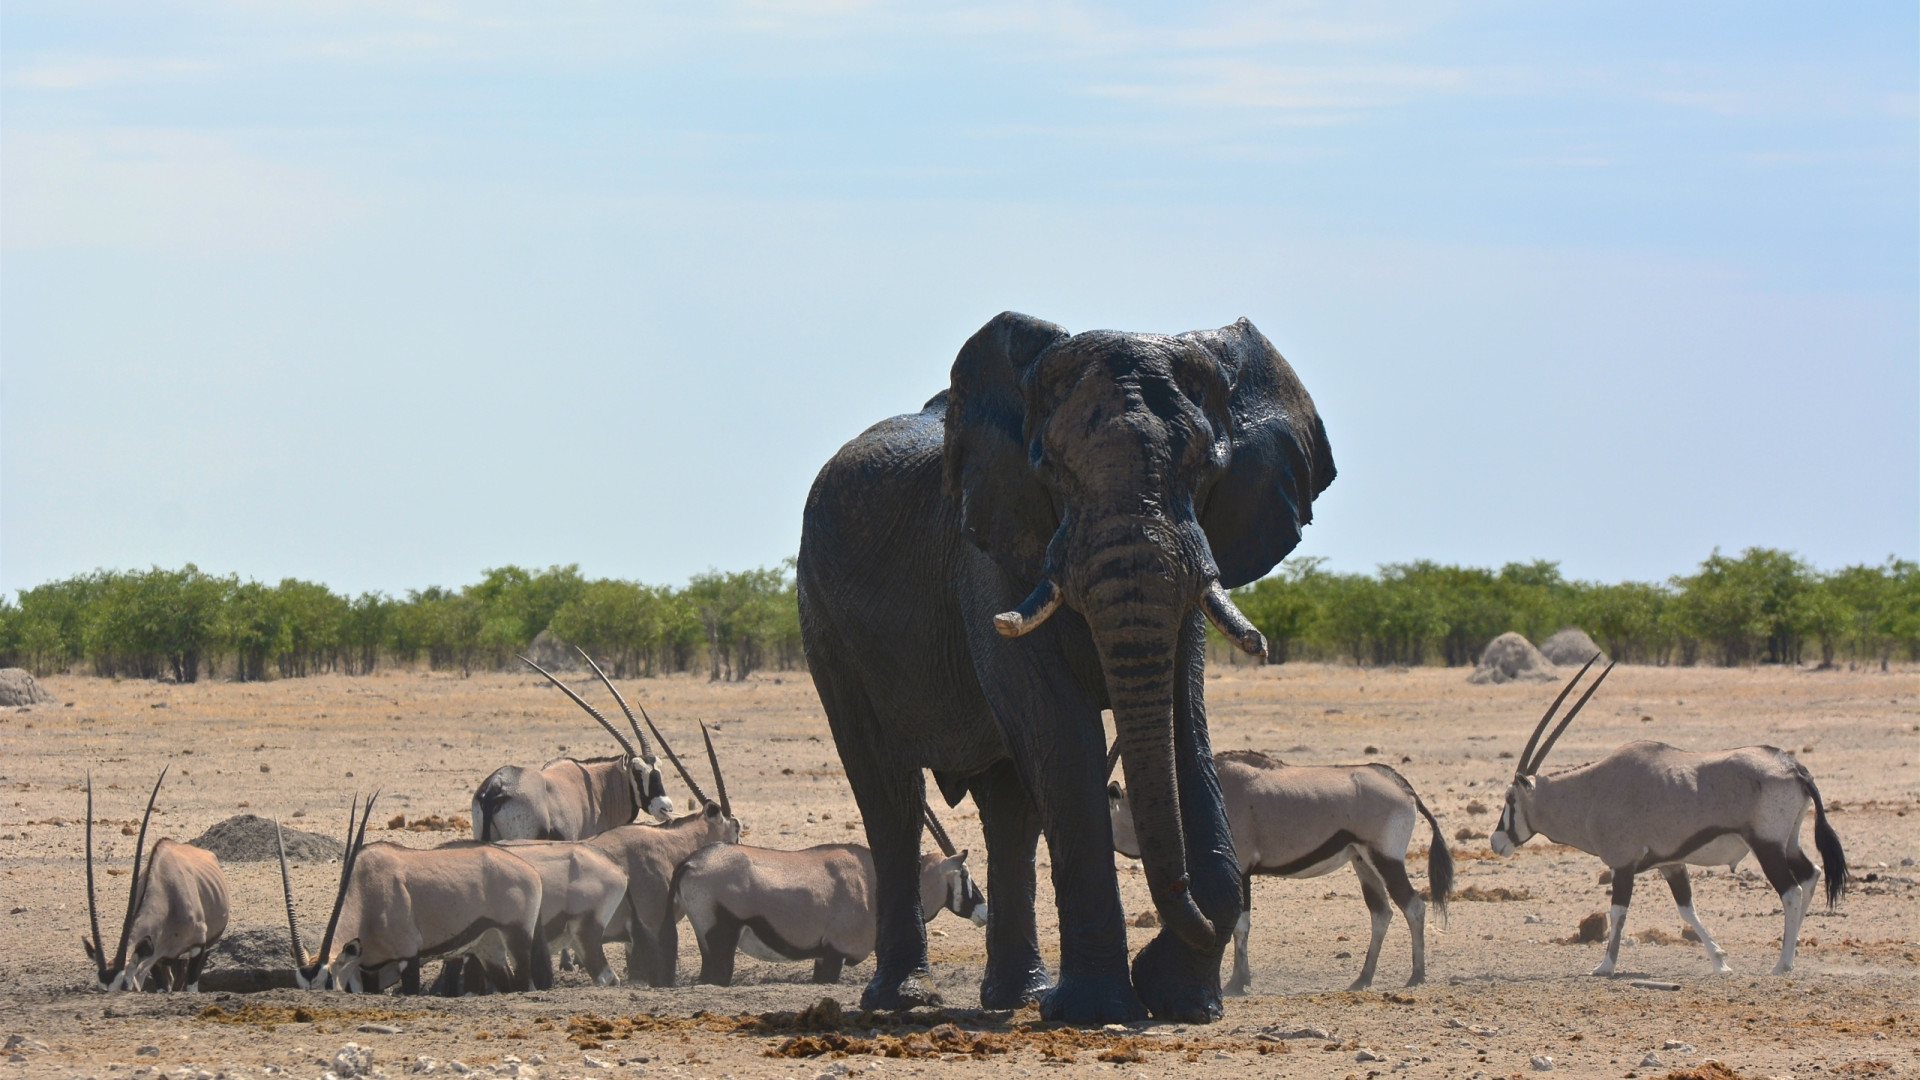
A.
pixel 1136 599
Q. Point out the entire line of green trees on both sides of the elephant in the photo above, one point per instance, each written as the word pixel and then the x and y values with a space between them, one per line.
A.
pixel 1764 606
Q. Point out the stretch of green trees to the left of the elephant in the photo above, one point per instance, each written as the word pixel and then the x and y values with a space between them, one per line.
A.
pixel 187 626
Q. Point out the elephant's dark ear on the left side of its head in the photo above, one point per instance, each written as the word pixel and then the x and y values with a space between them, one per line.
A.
pixel 1005 512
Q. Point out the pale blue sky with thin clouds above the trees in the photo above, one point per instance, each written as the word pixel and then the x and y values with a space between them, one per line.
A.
pixel 383 295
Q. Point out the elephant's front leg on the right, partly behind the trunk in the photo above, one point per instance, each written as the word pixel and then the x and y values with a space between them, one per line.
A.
pixel 1174 979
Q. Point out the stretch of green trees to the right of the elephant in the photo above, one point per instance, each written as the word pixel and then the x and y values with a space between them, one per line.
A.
pixel 1764 606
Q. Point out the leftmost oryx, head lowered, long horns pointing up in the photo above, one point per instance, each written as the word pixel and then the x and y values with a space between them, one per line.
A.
pixel 176 914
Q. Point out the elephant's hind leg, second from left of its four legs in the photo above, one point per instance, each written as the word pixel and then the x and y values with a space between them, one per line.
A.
pixel 1013 825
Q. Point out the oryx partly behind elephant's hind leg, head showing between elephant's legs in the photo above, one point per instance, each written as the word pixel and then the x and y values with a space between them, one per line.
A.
pixel 805 906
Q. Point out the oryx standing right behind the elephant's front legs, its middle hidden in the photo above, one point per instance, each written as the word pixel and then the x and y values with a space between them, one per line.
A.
pixel 1303 822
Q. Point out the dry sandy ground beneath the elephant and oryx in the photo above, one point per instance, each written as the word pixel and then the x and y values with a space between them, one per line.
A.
pixel 1502 989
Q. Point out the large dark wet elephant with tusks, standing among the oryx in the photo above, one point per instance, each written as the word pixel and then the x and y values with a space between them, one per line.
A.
pixel 978 581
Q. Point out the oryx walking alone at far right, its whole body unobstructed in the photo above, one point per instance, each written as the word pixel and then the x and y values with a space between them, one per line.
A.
pixel 1650 806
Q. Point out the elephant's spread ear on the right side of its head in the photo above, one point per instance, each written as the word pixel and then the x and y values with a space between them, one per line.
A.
pixel 1280 462
